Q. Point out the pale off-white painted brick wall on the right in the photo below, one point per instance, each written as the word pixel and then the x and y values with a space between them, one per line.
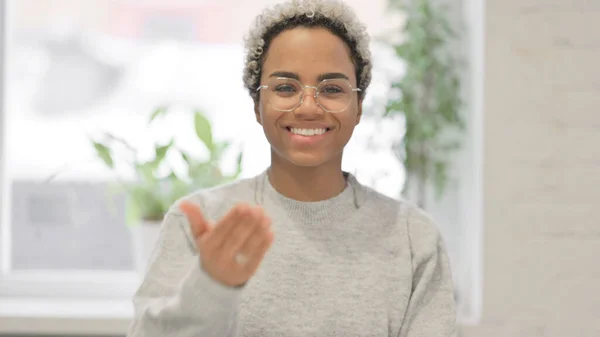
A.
pixel 541 169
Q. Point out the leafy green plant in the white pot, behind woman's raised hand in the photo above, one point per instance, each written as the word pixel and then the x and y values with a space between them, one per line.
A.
pixel 156 185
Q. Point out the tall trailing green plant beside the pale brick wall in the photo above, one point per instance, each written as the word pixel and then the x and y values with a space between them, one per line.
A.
pixel 429 97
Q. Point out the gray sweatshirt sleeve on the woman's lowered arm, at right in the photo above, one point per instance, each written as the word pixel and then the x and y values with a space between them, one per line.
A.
pixel 431 309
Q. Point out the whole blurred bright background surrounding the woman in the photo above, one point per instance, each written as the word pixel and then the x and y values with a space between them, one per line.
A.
pixel 512 177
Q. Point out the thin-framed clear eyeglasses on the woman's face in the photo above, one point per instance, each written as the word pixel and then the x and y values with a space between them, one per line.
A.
pixel 286 94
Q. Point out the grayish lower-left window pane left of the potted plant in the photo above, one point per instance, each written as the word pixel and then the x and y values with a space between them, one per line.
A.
pixel 67 225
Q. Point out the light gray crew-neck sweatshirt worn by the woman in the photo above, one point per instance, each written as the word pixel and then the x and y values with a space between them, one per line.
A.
pixel 358 264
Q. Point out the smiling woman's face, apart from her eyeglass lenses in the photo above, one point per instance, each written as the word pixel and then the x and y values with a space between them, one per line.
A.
pixel 309 54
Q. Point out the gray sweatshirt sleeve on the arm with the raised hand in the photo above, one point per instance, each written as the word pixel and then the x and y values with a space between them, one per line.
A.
pixel 176 297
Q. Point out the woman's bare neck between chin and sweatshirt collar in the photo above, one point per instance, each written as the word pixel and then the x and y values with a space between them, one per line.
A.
pixel 306 183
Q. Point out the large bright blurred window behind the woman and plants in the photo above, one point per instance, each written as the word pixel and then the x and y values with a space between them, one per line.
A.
pixel 75 69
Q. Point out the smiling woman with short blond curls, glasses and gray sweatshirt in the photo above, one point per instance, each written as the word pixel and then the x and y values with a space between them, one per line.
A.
pixel 302 249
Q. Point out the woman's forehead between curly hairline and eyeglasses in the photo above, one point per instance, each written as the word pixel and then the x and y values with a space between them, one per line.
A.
pixel 309 52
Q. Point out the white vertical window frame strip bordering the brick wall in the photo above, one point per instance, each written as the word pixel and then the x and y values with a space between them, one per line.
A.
pixel 471 160
